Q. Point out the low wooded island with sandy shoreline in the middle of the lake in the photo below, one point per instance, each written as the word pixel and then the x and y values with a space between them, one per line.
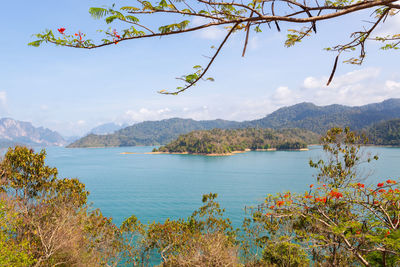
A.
pixel 219 141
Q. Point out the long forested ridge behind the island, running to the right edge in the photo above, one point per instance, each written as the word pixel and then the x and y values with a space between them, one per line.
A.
pixel 304 116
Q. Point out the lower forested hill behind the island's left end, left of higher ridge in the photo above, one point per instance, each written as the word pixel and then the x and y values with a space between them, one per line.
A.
pixel 151 132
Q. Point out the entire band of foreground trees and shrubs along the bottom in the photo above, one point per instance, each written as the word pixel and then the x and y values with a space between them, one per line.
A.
pixel 339 221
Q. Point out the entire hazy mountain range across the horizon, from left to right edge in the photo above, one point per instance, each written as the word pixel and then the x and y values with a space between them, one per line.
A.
pixel 304 115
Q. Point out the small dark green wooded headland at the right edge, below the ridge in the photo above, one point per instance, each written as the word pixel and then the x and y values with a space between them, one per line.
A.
pixel 385 133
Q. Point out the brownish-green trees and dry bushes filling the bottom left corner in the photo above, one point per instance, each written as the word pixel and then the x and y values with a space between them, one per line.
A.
pixel 46 220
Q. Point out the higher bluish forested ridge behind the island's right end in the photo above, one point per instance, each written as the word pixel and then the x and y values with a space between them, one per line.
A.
pixel 319 119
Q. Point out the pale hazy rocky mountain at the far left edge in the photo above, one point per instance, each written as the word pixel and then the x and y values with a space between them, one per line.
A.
pixel 14 132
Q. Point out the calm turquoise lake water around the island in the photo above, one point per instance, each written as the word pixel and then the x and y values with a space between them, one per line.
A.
pixel 157 187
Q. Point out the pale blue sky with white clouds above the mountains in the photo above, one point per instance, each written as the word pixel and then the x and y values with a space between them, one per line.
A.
pixel 72 90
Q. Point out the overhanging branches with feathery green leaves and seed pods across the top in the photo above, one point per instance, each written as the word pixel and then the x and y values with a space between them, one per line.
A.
pixel 234 16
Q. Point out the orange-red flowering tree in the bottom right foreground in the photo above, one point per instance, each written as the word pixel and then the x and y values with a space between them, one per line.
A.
pixel 339 221
